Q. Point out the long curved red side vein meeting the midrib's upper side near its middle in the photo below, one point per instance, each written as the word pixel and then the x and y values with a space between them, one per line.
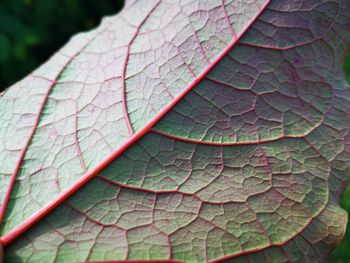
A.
pixel 125 109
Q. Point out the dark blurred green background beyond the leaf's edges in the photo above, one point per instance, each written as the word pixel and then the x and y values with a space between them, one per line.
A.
pixel 32 30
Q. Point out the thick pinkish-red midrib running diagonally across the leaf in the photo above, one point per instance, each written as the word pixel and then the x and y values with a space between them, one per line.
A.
pixel 26 224
